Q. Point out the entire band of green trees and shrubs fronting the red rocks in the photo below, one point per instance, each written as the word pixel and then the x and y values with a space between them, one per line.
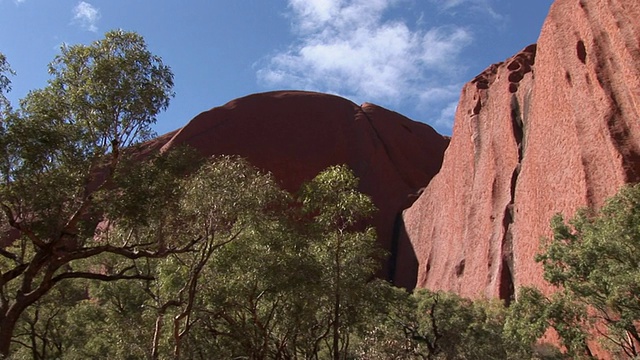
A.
pixel 109 252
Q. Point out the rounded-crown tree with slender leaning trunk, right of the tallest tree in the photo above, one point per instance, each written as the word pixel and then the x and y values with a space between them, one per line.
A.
pixel 226 202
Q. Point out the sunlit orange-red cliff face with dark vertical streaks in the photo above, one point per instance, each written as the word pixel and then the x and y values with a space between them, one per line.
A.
pixel 552 129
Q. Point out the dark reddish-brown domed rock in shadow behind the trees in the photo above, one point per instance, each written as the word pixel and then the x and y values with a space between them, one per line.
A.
pixel 295 135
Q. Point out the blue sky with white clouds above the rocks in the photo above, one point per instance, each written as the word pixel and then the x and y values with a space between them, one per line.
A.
pixel 410 56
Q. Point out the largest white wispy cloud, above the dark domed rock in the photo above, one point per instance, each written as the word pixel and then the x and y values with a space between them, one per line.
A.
pixel 355 49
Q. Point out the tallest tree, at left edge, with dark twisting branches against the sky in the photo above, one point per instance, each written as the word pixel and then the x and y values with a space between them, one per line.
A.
pixel 64 156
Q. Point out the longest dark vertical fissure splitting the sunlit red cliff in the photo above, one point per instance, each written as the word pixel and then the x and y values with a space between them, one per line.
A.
pixel 506 286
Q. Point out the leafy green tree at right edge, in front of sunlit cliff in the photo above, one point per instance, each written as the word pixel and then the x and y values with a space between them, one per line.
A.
pixel 593 260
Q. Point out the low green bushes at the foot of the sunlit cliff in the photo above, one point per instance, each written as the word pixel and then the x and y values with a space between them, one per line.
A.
pixel 438 325
